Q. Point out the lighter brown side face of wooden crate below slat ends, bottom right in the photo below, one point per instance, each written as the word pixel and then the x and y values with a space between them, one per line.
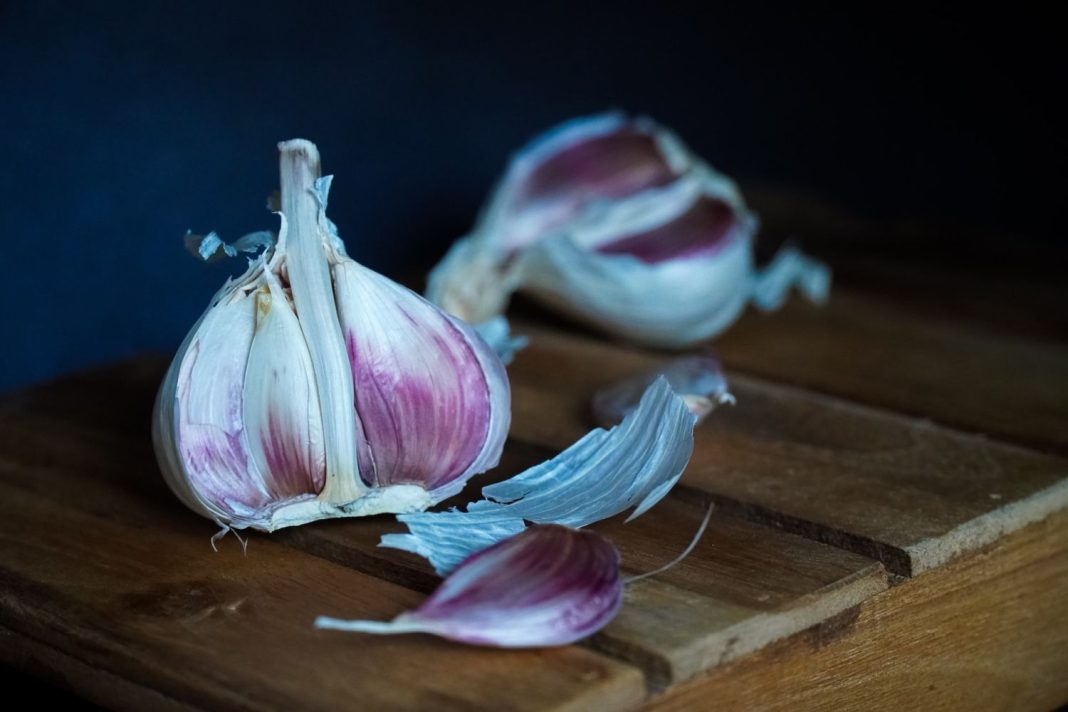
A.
pixel 987 632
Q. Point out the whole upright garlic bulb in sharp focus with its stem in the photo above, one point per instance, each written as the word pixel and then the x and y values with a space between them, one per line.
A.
pixel 313 388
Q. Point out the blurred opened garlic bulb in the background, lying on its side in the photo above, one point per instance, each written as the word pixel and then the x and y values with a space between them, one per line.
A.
pixel 614 221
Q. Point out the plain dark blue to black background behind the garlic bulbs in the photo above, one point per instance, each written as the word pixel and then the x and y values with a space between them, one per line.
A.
pixel 124 125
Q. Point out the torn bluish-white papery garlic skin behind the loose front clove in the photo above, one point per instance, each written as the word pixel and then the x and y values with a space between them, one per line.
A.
pixel 632 466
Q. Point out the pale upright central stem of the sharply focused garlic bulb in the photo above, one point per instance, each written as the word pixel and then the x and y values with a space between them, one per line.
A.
pixel 313 295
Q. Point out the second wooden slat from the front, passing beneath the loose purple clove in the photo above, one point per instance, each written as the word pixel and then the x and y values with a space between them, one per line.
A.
pixel 744 587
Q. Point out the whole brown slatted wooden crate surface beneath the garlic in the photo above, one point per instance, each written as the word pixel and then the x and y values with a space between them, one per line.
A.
pixel 889 530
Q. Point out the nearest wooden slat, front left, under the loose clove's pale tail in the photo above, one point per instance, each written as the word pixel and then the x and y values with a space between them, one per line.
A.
pixel 100 565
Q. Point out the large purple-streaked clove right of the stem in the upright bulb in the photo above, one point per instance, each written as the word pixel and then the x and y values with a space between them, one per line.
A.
pixel 425 397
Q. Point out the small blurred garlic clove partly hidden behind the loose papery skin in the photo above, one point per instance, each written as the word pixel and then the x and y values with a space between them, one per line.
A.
pixel 698 381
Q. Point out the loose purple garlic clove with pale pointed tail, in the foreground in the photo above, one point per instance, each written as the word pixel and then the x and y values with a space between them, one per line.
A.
pixel 548 587
